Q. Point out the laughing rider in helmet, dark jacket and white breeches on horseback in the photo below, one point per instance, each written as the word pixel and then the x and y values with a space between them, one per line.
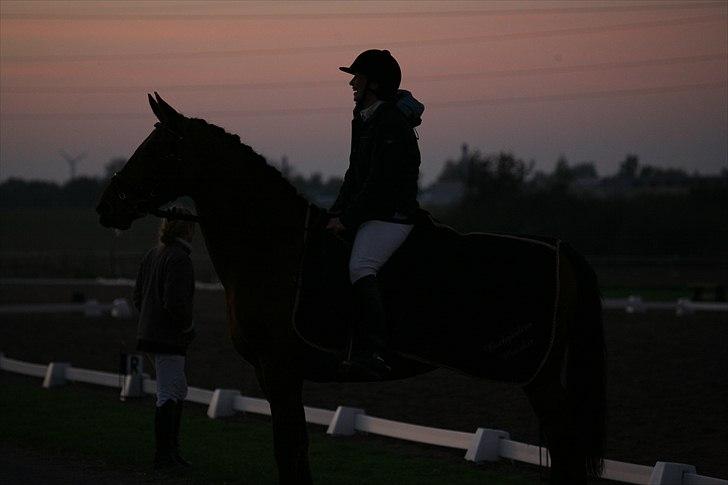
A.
pixel 378 198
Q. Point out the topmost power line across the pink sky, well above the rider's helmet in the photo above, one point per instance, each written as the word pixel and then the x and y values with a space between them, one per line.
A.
pixel 360 15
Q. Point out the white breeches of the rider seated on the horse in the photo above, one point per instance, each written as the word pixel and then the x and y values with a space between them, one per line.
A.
pixel 374 244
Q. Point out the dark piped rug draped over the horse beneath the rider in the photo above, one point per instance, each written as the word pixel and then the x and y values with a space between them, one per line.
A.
pixel 482 303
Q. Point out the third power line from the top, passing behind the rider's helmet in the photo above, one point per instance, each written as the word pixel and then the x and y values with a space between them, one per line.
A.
pixel 669 61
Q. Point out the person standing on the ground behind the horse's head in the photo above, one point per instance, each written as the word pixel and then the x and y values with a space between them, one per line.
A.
pixel 163 295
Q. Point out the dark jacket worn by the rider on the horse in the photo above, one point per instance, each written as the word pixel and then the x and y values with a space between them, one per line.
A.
pixel 381 181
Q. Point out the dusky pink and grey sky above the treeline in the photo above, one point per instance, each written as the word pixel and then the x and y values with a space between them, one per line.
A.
pixel 591 81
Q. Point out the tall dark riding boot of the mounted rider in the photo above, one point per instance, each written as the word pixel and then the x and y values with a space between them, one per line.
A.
pixel 369 349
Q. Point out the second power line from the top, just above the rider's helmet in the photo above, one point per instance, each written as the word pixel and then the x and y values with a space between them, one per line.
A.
pixel 265 51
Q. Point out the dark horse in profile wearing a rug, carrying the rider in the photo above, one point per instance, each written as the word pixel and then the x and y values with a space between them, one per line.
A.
pixel 265 239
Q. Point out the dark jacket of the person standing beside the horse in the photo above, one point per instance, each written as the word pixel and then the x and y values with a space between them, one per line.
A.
pixel 163 296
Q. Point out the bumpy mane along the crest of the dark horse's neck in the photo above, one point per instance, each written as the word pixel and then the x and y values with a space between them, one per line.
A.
pixel 231 143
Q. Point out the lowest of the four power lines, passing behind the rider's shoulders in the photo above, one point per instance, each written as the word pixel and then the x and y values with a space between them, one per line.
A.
pixel 466 103
